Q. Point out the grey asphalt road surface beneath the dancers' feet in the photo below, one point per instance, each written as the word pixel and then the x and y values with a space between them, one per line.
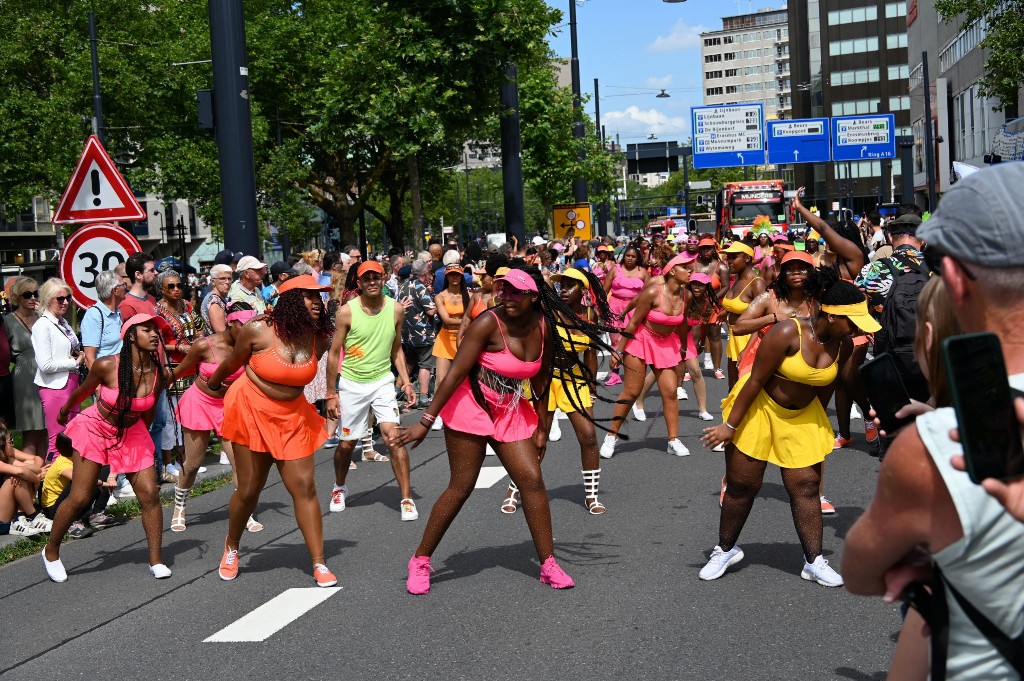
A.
pixel 638 611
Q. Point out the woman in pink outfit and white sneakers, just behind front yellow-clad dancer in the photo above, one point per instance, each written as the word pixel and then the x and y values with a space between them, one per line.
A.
pixel 657 326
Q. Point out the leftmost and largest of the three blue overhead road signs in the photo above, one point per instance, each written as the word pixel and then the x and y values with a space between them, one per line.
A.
pixel 727 137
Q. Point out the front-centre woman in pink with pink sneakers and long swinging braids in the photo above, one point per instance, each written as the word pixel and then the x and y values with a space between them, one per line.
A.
pixel 483 400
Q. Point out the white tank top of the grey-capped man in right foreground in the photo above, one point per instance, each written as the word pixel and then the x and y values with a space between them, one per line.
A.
pixel 987 566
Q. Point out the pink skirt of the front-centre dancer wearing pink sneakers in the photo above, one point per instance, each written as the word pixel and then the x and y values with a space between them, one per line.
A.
pixel 509 422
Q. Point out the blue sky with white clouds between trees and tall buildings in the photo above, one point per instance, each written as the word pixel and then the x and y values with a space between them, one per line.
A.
pixel 636 48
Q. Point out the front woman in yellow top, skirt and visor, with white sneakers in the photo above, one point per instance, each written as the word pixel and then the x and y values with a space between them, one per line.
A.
pixel 774 415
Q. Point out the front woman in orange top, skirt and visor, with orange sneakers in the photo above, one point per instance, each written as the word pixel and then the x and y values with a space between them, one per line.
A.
pixel 269 420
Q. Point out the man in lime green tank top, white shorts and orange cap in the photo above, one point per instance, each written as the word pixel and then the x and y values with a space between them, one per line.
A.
pixel 368 332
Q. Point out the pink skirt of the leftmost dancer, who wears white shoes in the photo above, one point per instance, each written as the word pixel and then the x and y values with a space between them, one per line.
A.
pixel 94 438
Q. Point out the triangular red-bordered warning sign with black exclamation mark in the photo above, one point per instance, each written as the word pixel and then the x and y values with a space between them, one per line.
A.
pixel 97 191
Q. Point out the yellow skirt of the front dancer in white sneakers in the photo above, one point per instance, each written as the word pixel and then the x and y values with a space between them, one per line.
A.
pixel 789 439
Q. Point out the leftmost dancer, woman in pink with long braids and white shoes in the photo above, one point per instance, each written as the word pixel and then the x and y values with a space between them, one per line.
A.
pixel 114 433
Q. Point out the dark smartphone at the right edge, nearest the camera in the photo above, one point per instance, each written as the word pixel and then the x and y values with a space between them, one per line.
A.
pixel 990 433
